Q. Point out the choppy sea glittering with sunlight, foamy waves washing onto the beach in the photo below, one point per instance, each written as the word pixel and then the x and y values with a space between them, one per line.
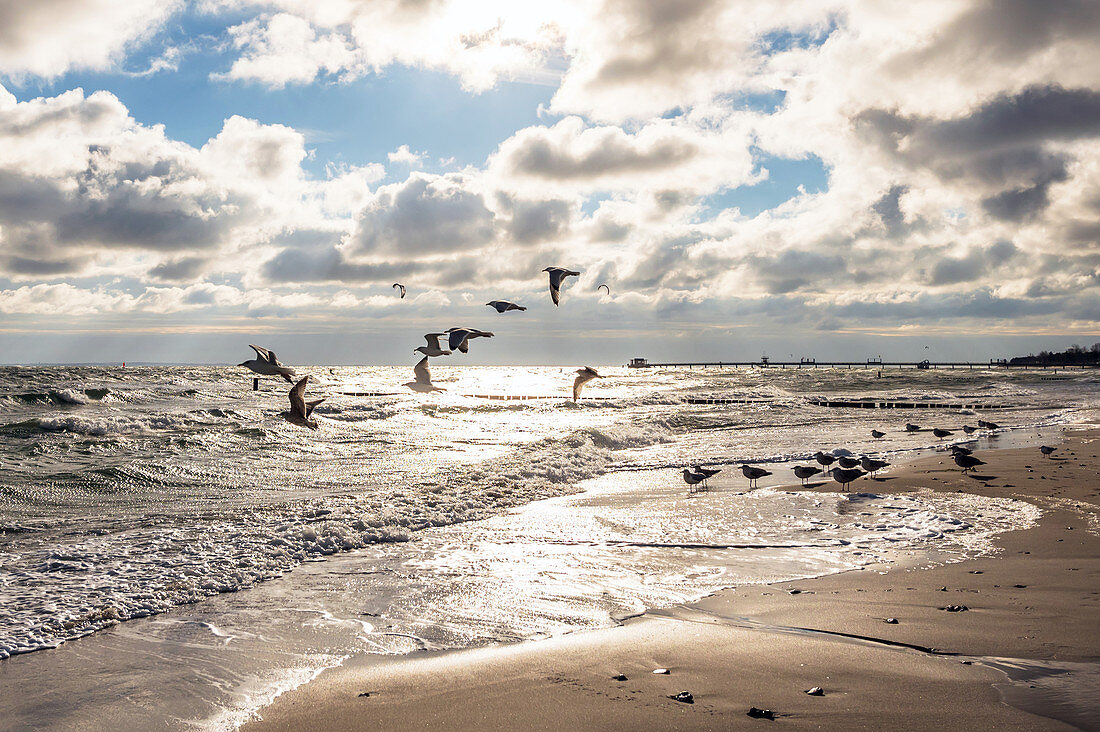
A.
pixel 416 521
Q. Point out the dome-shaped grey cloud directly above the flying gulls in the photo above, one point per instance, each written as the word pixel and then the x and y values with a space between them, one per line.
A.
pixel 425 216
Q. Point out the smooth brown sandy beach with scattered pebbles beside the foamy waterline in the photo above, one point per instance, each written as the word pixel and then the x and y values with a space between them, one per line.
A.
pixel 1025 654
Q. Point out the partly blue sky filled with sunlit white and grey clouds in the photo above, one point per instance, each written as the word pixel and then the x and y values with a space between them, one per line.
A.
pixel 822 179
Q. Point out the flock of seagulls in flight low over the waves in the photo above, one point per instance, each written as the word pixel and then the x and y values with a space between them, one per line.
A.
pixel 458 340
